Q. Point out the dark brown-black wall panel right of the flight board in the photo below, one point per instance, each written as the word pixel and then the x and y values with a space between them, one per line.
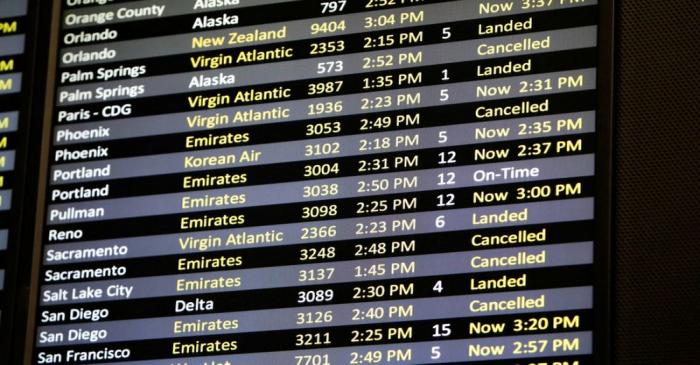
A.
pixel 656 252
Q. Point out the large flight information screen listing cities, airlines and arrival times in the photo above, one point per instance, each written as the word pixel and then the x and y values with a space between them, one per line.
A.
pixel 322 183
